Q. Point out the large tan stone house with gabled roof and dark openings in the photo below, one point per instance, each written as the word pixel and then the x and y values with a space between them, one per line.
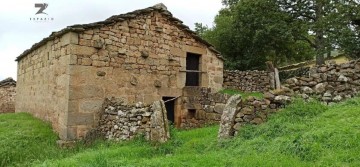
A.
pixel 141 56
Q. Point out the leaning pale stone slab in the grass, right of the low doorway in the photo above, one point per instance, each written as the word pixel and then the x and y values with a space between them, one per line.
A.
pixel 228 117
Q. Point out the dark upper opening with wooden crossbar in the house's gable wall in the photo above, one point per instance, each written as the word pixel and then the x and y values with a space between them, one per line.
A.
pixel 192 69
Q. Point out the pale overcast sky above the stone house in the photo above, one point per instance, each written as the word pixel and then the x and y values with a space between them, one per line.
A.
pixel 18 32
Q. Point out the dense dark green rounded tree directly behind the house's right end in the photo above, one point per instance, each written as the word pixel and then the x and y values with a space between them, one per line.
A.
pixel 248 38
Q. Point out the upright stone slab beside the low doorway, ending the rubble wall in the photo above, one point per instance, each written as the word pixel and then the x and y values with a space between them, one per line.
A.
pixel 159 123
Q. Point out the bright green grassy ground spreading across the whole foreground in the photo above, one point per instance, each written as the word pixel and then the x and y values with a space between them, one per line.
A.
pixel 303 134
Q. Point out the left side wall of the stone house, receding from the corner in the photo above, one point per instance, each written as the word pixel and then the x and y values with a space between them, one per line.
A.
pixel 43 83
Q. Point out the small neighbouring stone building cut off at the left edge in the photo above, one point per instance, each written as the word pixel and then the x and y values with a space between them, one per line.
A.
pixel 7 95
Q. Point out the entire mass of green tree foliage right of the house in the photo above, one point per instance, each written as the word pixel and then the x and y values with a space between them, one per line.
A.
pixel 250 32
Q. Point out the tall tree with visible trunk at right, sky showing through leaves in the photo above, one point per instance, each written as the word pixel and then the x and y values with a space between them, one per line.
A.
pixel 328 22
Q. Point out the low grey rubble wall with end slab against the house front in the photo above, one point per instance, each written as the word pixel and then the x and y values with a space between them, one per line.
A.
pixel 120 121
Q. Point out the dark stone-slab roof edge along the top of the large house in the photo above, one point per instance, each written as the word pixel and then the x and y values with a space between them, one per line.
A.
pixel 161 8
